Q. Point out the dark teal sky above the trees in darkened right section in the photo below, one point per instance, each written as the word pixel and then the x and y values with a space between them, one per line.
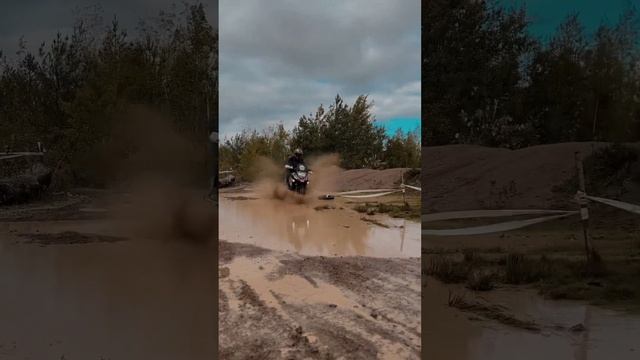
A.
pixel 546 15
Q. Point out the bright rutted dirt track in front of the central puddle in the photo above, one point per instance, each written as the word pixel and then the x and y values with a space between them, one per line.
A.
pixel 285 306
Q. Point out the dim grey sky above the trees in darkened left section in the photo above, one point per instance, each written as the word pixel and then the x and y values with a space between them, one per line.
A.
pixel 40 20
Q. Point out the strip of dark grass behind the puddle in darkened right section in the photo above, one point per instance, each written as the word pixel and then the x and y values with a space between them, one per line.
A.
pixel 555 278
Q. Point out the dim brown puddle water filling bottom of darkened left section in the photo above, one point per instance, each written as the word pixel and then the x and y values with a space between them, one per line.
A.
pixel 126 300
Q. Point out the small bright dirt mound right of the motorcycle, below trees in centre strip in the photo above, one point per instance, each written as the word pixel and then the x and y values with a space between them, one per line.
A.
pixel 359 179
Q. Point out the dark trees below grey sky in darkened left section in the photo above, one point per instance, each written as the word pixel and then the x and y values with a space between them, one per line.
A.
pixel 71 92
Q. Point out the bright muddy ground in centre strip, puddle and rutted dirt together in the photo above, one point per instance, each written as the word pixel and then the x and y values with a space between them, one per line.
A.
pixel 316 280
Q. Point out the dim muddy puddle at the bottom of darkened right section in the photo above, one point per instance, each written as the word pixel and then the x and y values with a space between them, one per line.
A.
pixel 453 334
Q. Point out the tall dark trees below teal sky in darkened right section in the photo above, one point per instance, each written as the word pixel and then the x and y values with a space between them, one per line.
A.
pixel 488 81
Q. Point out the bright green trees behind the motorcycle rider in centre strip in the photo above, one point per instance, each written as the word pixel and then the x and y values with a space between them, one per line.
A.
pixel 343 129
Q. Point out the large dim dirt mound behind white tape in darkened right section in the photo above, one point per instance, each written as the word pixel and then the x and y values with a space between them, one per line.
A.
pixel 466 177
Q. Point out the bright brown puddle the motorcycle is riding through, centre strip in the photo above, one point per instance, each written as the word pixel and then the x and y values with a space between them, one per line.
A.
pixel 316 228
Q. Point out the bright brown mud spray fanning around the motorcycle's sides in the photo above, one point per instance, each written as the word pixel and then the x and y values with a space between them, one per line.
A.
pixel 323 179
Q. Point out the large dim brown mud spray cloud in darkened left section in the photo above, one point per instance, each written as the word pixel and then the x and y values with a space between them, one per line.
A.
pixel 156 177
